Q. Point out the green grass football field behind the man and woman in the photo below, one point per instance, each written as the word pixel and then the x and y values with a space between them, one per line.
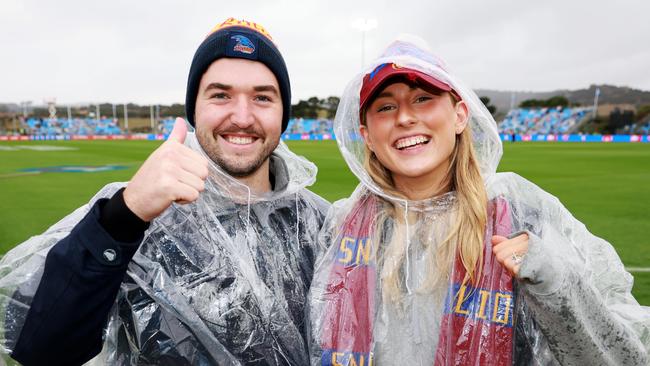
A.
pixel 605 185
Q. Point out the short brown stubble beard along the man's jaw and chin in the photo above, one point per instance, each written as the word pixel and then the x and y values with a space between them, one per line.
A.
pixel 233 165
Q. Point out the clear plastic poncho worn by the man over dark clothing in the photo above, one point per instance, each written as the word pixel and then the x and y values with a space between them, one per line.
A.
pixel 222 280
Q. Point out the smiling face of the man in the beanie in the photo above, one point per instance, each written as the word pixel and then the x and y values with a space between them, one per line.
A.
pixel 238 116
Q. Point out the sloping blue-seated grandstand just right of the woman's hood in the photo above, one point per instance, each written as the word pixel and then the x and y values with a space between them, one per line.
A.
pixel 559 120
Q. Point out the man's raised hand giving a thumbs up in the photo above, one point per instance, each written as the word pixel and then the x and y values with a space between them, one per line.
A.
pixel 172 173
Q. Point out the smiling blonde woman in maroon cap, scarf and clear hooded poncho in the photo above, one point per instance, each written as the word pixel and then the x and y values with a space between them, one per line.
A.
pixel 436 259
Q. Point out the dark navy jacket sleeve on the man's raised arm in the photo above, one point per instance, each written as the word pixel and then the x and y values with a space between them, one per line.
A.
pixel 80 282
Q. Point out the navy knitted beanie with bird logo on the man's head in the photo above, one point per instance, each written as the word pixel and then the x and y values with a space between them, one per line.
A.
pixel 238 39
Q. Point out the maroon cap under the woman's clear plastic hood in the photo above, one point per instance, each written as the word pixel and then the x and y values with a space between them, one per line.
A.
pixel 374 80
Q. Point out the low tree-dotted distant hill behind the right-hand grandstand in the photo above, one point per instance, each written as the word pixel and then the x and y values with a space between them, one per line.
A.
pixel 608 94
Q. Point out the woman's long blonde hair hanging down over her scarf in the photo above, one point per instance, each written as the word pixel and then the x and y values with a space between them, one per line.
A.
pixel 465 237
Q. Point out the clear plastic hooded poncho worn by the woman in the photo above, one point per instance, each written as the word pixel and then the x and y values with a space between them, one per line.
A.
pixel 372 300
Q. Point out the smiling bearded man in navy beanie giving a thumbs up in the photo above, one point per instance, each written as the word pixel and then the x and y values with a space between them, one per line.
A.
pixel 205 257
